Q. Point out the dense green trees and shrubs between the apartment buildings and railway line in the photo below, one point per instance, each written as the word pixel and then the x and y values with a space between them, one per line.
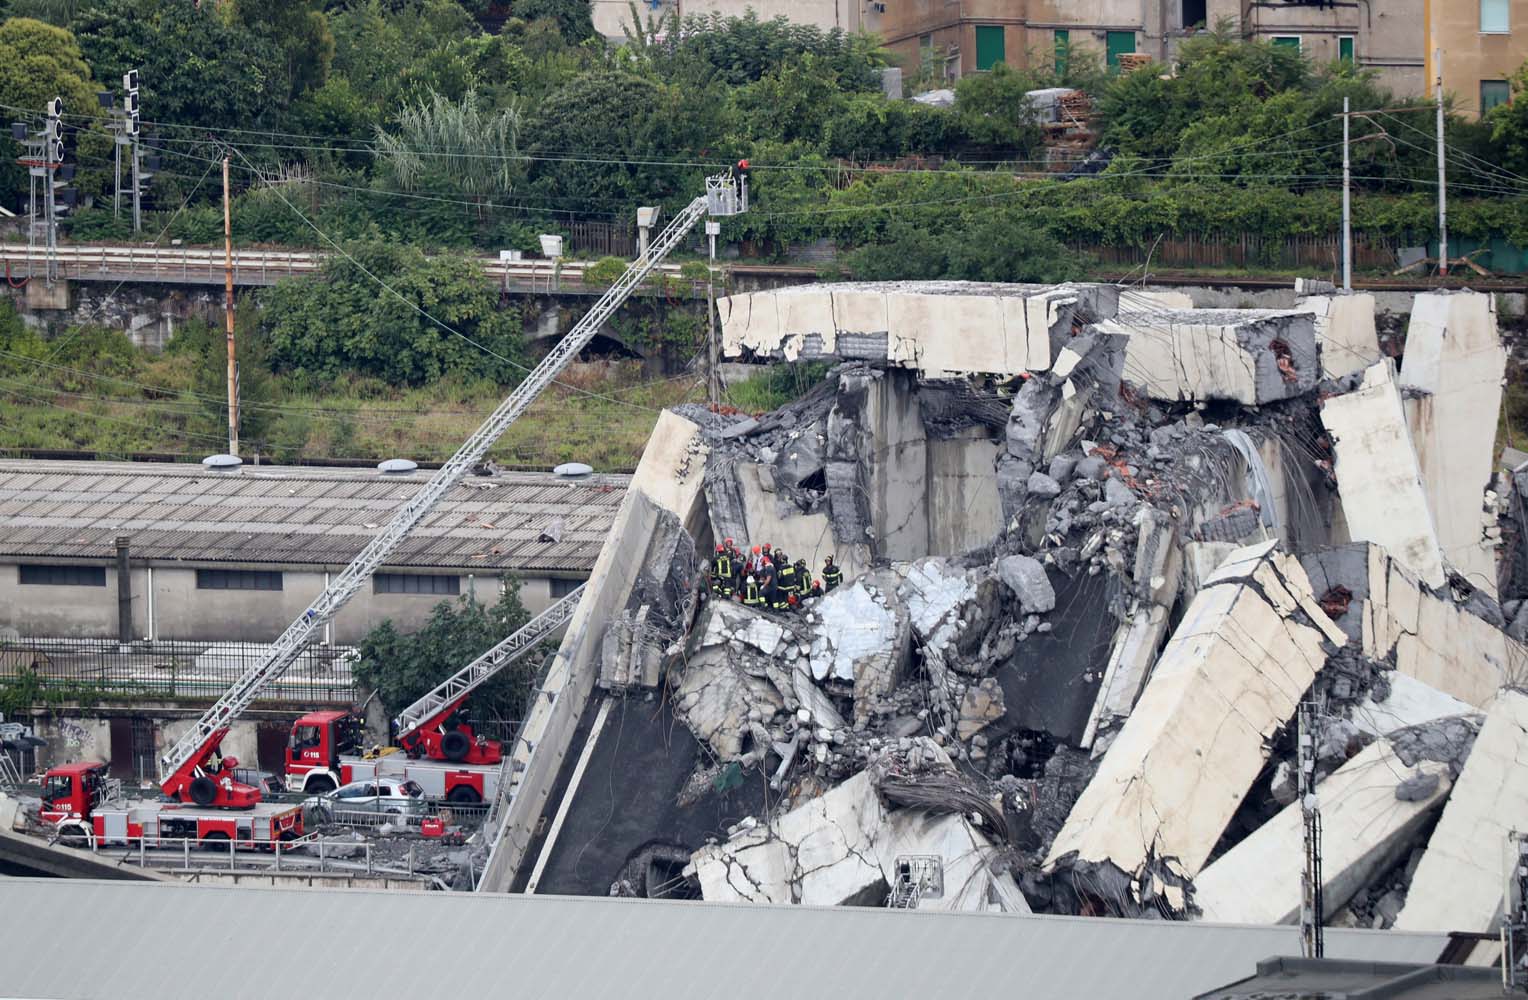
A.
pixel 404 122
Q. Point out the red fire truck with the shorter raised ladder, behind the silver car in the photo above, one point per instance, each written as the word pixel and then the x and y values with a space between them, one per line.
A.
pixel 436 745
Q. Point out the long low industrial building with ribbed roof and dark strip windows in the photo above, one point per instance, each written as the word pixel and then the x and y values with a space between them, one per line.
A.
pixel 235 557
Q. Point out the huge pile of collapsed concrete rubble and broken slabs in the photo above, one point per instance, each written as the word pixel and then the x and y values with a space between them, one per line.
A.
pixel 1098 548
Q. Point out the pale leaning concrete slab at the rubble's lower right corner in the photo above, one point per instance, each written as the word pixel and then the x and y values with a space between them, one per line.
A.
pixel 1460 881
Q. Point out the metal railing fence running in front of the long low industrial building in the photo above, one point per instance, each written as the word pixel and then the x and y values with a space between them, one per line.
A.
pixel 91 669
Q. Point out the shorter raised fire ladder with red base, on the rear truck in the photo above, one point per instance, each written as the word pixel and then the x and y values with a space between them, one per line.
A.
pixel 419 730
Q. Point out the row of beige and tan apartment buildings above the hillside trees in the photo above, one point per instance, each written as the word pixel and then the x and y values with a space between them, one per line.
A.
pixel 1483 42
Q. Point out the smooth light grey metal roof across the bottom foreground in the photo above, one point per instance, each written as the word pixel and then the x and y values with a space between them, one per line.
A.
pixel 164 941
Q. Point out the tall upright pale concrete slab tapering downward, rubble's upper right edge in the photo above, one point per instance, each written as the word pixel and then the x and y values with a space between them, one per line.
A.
pixel 1452 380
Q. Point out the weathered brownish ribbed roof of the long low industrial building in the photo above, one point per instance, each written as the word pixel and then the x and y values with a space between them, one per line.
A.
pixel 297 516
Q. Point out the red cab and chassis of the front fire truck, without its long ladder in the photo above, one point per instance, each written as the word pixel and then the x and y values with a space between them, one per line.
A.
pixel 89 811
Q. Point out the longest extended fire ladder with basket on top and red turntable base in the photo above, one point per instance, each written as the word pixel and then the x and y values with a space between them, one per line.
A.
pixel 187 770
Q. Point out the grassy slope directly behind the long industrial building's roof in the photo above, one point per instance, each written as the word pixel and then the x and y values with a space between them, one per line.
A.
pixel 94 391
